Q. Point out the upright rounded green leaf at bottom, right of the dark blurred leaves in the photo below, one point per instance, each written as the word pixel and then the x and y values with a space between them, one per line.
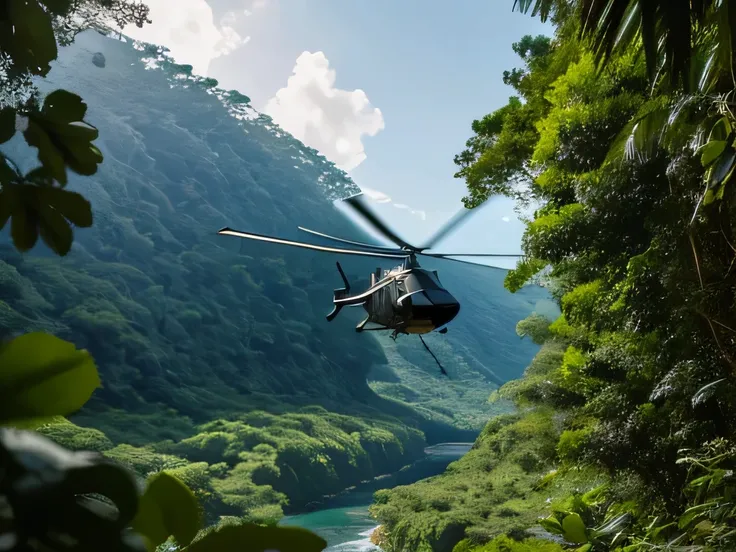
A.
pixel 167 508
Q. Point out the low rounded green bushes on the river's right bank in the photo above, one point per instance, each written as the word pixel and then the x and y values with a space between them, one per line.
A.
pixel 492 490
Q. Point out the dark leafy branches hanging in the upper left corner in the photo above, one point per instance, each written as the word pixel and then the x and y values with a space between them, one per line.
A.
pixel 37 203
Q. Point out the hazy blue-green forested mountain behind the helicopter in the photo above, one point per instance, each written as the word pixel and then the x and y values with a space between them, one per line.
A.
pixel 214 352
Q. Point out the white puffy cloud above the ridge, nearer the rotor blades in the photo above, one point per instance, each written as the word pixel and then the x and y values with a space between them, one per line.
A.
pixel 329 119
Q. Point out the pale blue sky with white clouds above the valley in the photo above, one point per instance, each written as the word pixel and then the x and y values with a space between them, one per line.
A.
pixel 386 89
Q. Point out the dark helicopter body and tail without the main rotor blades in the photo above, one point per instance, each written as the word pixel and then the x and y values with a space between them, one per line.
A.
pixel 407 299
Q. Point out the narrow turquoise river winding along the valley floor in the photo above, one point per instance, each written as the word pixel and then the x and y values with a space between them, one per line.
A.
pixel 344 521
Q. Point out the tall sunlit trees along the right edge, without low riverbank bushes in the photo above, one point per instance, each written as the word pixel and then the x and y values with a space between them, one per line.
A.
pixel 631 161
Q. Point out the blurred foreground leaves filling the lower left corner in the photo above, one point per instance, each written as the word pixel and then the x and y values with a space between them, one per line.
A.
pixel 85 499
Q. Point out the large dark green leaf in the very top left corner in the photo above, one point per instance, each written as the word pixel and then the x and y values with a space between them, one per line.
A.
pixel 33 42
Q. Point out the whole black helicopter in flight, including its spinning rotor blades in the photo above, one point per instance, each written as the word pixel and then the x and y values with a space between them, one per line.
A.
pixel 406 299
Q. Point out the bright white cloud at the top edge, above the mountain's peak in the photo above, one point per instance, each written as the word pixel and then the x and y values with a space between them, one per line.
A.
pixel 188 29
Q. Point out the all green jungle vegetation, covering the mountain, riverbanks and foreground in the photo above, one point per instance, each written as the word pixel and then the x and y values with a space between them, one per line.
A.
pixel 131 331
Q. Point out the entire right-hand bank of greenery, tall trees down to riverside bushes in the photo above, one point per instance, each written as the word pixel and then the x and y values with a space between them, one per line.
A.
pixel 624 436
